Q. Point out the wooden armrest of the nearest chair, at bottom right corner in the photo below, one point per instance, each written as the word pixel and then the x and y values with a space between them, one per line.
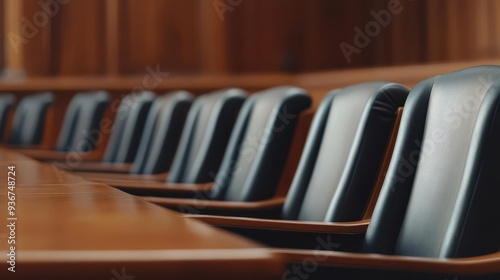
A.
pixel 480 265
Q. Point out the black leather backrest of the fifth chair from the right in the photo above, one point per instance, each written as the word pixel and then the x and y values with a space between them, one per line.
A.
pixel 161 133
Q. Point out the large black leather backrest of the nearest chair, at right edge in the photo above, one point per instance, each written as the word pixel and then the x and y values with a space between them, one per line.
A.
pixel 441 194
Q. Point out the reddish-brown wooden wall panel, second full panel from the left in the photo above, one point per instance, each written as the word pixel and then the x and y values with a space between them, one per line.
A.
pixel 161 33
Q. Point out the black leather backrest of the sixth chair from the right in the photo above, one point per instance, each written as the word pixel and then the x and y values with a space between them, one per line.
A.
pixel 128 126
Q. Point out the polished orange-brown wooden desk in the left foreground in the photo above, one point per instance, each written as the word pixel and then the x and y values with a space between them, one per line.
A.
pixel 68 228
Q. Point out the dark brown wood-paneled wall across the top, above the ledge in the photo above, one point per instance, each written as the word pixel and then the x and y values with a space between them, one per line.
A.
pixel 125 37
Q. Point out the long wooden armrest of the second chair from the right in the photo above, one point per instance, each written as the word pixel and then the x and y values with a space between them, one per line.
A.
pixel 284 225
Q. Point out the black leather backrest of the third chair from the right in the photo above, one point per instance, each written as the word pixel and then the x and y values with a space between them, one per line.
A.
pixel 257 151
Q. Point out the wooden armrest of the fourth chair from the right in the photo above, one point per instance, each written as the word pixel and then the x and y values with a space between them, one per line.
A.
pixel 159 189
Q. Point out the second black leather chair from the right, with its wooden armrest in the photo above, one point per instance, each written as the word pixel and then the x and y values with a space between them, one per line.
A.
pixel 341 167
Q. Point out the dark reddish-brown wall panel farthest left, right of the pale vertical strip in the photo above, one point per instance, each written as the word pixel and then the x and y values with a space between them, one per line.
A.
pixel 71 42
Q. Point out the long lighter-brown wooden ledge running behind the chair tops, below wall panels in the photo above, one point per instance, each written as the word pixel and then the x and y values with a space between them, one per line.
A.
pixel 323 81
